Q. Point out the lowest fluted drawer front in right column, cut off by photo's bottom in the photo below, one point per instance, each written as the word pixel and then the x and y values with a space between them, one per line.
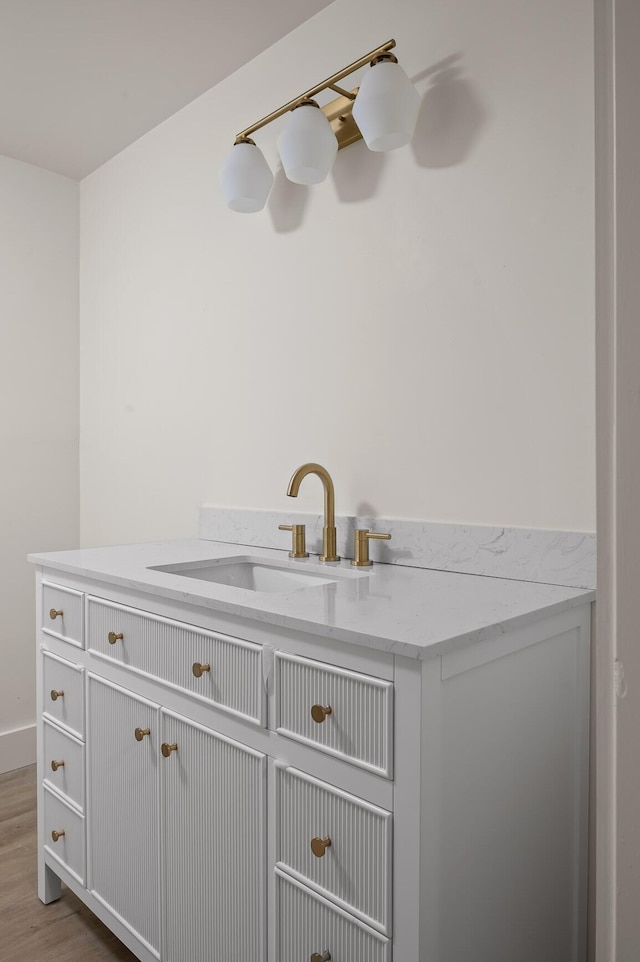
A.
pixel 308 924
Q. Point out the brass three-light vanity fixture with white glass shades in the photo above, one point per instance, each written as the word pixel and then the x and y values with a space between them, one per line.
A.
pixel 383 111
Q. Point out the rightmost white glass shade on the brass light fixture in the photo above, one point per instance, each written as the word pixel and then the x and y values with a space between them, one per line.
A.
pixel 386 107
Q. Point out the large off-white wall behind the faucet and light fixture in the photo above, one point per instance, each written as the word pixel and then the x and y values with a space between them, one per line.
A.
pixel 422 323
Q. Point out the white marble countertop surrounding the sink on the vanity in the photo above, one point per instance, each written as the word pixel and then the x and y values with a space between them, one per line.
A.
pixel 416 612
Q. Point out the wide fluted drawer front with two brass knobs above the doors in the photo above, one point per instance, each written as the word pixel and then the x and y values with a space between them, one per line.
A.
pixel 169 650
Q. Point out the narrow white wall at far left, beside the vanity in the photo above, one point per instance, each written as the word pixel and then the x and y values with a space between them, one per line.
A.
pixel 39 419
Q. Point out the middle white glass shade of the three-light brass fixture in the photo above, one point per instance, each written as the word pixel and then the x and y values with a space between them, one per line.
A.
pixel 307 146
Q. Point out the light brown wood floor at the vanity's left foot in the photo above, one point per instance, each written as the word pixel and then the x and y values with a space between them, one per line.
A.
pixel 64 931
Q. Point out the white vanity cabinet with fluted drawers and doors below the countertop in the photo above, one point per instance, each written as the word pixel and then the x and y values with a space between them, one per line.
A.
pixel 236 790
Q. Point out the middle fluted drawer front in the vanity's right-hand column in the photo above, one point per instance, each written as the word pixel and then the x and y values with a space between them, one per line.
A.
pixel 355 867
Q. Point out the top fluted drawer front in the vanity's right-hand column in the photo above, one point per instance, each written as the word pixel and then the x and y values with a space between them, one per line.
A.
pixel 359 726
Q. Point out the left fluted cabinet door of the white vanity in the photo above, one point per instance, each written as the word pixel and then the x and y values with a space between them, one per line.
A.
pixel 122 810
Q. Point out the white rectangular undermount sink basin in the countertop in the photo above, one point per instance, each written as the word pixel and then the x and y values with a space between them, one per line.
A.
pixel 252 574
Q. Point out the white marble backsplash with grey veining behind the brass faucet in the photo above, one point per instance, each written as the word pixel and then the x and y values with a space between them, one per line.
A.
pixel 523 554
